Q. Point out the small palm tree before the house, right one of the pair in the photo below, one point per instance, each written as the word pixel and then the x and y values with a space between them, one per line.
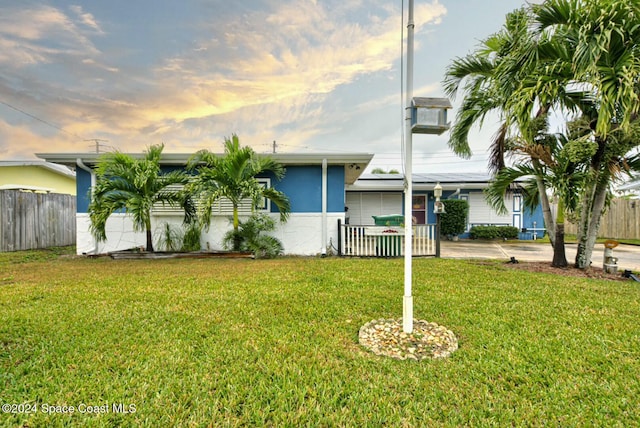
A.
pixel 233 176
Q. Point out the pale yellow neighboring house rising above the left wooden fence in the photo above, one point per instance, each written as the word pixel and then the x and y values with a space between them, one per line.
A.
pixel 37 176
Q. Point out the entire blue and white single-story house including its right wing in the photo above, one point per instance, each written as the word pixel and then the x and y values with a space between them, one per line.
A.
pixel 332 206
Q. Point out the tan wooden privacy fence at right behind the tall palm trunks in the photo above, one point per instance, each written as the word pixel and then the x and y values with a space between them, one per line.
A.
pixel 621 221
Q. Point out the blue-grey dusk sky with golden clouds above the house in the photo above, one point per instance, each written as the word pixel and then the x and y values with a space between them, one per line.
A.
pixel 316 76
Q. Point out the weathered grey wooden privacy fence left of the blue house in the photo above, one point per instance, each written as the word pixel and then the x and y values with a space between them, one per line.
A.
pixel 36 220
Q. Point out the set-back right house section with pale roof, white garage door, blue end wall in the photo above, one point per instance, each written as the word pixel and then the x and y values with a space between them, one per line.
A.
pixel 382 194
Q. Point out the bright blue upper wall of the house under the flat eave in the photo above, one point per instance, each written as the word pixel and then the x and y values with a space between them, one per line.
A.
pixel 302 184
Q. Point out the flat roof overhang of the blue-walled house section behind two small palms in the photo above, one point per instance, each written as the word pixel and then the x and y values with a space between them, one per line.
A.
pixel 354 163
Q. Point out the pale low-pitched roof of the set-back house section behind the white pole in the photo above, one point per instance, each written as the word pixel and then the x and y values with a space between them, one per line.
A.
pixel 421 181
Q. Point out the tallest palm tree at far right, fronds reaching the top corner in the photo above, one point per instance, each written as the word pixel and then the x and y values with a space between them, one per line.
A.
pixel 603 37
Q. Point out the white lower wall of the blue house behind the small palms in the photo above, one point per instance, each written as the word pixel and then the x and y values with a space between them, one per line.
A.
pixel 300 235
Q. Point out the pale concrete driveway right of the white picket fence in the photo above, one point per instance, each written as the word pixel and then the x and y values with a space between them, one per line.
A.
pixel 628 255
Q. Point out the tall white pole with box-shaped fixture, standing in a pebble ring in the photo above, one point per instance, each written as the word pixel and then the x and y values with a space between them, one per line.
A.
pixel 422 116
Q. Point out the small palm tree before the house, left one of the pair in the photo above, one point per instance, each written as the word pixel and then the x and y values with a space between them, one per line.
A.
pixel 135 186
